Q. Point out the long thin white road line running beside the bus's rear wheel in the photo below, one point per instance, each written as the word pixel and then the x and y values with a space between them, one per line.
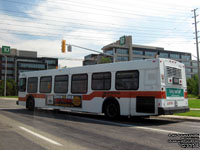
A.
pixel 133 126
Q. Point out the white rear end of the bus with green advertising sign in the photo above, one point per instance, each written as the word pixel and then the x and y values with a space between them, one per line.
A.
pixel 173 82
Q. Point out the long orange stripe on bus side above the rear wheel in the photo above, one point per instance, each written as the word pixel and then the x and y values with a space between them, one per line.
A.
pixel 125 94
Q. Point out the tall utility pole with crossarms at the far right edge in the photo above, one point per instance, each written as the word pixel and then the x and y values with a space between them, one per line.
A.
pixel 197 46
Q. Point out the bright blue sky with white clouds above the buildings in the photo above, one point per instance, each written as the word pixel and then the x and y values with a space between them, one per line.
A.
pixel 40 25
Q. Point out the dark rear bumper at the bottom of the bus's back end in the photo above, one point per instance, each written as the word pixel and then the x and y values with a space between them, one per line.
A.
pixel 172 110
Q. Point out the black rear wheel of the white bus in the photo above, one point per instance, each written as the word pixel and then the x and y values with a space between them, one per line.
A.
pixel 111 110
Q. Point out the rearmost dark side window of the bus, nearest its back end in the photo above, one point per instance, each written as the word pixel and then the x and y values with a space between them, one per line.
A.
pixel 127 80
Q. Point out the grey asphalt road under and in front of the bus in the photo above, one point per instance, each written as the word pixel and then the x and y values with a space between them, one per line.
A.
pixel 21 129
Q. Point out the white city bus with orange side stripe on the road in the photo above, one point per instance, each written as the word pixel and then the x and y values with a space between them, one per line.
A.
pixel 149 87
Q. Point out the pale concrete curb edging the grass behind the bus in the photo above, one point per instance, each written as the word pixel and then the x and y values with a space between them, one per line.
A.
pixel 184 118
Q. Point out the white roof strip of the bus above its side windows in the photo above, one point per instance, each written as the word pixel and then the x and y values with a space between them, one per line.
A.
pixel 99 67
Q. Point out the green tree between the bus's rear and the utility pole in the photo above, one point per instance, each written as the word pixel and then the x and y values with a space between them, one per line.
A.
pixel 192 85
